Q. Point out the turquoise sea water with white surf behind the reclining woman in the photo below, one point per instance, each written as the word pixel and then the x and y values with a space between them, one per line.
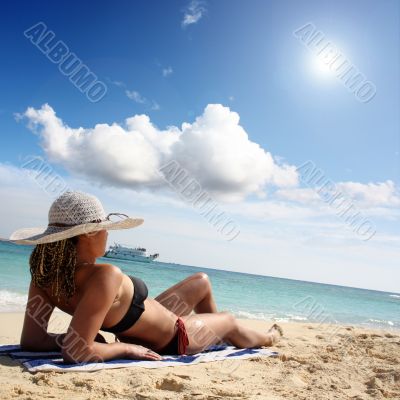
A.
pixel 245 295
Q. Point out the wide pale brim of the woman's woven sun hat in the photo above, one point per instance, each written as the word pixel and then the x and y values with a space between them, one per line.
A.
pixel 53 234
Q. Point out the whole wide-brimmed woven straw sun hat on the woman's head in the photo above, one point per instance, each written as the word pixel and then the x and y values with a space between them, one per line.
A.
pixel 72 214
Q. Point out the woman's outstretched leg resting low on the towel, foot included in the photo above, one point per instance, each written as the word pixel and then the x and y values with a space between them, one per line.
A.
pixel 206 329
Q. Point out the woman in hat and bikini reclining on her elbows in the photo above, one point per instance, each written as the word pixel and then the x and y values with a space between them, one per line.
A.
pixel 65 274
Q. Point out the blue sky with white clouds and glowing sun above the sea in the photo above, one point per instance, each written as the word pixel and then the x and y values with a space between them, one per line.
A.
pixel 243 57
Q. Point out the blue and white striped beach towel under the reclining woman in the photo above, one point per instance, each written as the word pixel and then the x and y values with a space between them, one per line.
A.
pixel 52 361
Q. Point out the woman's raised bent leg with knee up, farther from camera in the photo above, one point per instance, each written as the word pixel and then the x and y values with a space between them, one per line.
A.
pixel 192 294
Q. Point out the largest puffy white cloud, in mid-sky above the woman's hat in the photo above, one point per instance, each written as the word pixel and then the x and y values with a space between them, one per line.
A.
pixel 215 150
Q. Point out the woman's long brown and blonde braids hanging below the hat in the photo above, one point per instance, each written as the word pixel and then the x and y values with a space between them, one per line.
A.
pixel 54 264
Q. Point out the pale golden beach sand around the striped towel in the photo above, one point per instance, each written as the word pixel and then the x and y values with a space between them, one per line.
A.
pixel 316 362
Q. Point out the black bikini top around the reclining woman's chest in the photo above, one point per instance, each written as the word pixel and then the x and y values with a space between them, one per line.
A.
pixel 135 310
